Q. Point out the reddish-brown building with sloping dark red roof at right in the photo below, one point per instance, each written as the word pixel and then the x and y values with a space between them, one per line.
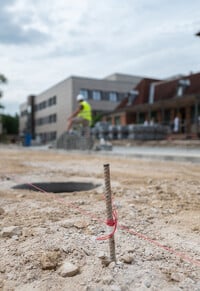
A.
pixel 160 101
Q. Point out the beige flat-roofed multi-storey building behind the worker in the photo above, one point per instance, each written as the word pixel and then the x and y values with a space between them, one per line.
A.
pixel 45 115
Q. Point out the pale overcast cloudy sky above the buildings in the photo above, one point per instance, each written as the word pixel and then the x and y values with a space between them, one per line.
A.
pixel 43 42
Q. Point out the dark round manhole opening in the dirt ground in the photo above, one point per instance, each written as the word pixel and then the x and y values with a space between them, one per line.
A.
pixel 58 187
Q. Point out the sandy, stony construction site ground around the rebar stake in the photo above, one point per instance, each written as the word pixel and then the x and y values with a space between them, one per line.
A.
pixel 49 240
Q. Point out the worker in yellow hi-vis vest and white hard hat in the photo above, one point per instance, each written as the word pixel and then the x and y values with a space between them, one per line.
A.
pixel 82 115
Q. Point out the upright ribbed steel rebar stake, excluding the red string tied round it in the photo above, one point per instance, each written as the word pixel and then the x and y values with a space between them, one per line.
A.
pixel 109 209
